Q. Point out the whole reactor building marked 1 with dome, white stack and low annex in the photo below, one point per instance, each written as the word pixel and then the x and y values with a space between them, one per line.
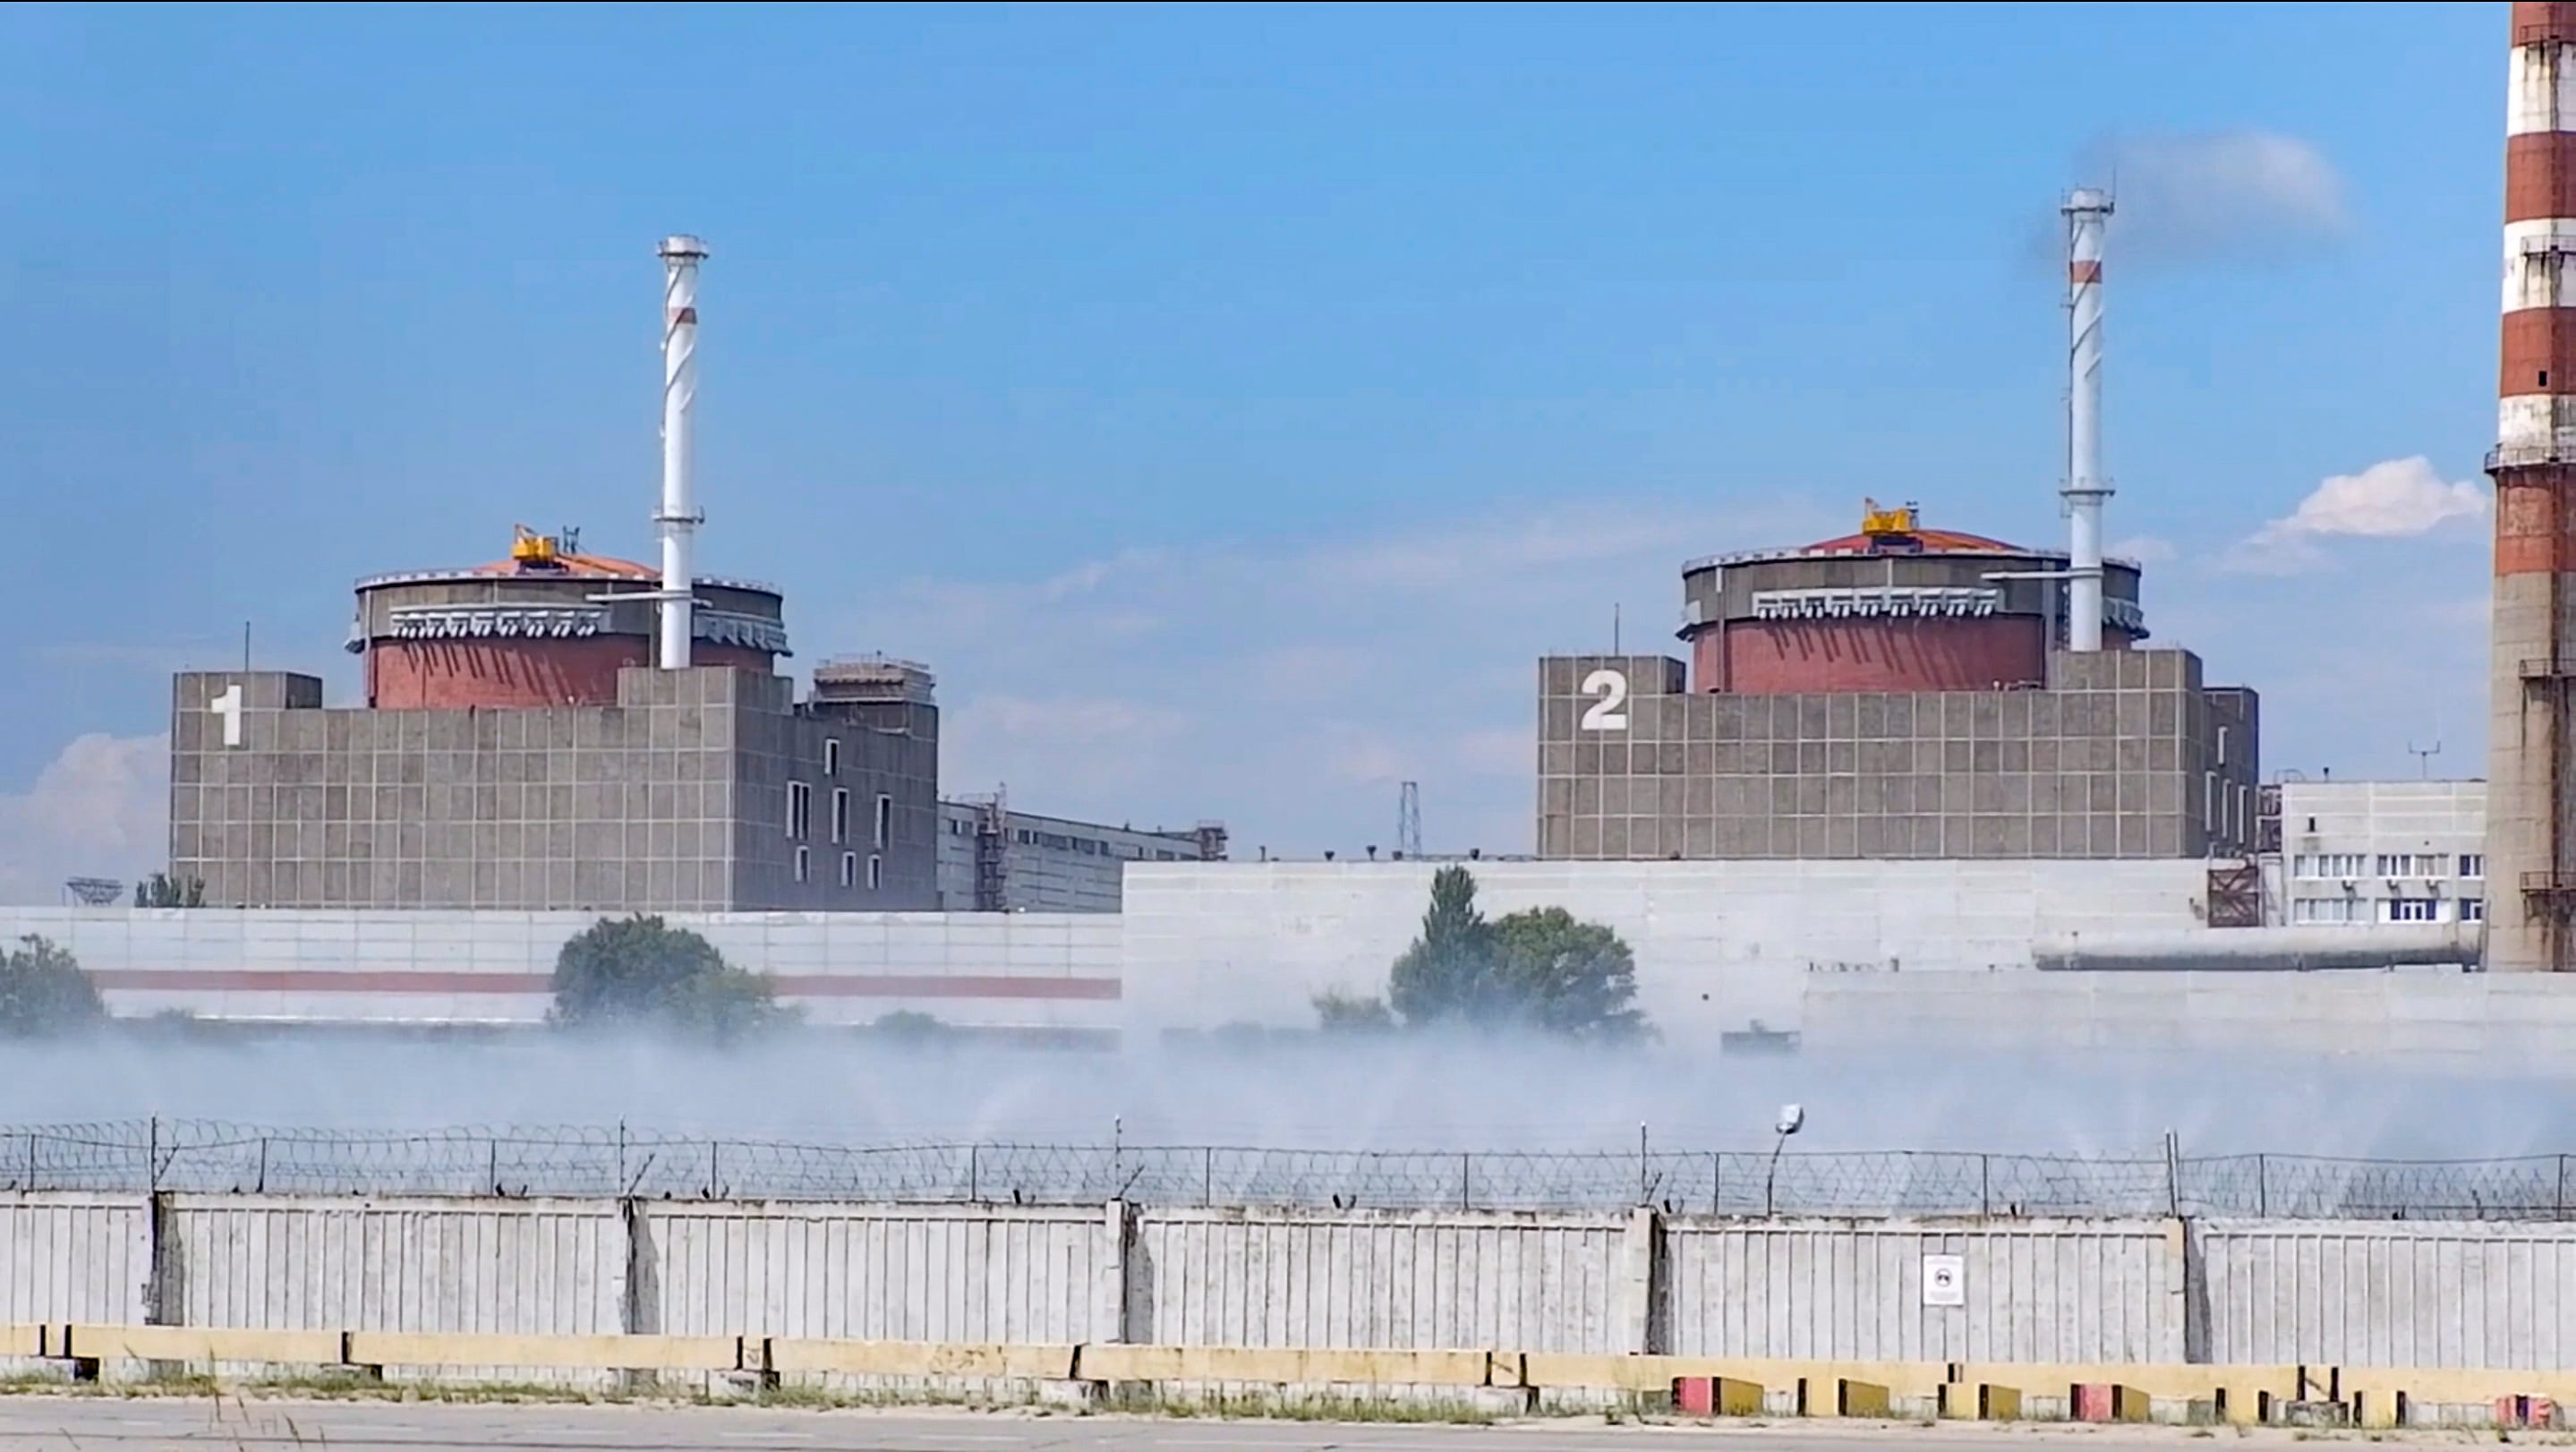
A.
pixel 563 730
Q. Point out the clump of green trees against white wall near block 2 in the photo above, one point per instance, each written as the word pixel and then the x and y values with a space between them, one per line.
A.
pixel 1537 969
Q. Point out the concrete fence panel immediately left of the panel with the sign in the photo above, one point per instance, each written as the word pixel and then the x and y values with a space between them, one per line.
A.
pixel 1390 1281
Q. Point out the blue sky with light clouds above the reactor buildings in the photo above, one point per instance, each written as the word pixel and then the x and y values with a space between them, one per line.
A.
pixel 1230 403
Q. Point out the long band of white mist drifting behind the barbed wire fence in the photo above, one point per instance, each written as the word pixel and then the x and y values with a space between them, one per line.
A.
pixel 1315 1095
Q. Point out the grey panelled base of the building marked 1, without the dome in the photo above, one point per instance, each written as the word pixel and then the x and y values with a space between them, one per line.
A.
pixel 694 792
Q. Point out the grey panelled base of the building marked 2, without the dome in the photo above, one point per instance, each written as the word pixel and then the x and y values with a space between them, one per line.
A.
pixel 2124 756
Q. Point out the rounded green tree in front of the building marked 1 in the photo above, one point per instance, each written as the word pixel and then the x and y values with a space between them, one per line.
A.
pixel 640 972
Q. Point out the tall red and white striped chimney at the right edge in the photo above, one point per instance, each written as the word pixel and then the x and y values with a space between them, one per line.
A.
pixel 2531 871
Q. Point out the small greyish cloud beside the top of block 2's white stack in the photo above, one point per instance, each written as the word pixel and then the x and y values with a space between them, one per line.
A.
pixel 2219 194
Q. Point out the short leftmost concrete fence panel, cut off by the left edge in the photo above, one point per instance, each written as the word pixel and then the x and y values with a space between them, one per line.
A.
pixel 76 1258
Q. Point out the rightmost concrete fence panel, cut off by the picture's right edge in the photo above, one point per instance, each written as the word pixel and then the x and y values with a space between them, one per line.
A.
pixel 2389 1294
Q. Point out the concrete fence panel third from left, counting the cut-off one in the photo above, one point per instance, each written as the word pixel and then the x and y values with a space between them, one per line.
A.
pixel 882 1273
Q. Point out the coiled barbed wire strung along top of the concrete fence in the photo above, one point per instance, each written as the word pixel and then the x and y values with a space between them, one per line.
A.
pixel 622 1162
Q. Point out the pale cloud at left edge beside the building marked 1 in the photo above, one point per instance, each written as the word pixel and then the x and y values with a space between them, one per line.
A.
pixel 99 810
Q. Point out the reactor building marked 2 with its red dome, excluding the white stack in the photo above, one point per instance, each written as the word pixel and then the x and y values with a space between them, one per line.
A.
pixel 1895 694
